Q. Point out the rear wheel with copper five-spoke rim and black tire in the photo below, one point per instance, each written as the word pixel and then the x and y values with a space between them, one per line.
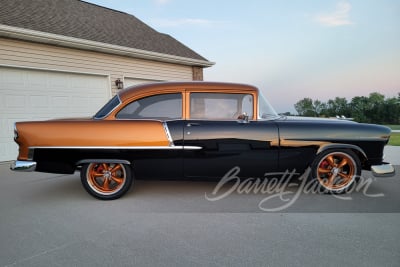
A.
pixel 106 181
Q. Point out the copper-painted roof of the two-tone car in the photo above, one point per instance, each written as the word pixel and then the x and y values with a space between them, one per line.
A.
pixel 160 87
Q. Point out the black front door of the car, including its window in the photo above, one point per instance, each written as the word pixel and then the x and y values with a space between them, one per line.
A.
pixel 218 125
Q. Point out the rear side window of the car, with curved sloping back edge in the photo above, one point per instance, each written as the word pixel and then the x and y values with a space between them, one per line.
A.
pixel 162 107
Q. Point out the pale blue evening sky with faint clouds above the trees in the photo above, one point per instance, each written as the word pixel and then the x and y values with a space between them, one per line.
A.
pixel 290 49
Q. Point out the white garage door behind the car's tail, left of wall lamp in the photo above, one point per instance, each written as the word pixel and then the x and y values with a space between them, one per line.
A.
pixel 39 95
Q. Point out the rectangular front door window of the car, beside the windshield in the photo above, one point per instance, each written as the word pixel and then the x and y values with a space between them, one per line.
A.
pixel 220 106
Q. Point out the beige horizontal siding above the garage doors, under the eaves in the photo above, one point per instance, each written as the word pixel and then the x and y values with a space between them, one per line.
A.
pixel 41 56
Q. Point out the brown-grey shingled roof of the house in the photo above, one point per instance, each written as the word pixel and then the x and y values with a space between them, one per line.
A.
pixel 79 19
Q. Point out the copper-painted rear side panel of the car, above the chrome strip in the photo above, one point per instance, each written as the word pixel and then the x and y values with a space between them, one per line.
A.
pixel 90 133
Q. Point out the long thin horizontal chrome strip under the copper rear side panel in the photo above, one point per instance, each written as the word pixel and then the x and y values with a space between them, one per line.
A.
pixel 121 147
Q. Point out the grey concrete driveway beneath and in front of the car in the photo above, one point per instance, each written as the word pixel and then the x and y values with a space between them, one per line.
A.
pixel 49 220
